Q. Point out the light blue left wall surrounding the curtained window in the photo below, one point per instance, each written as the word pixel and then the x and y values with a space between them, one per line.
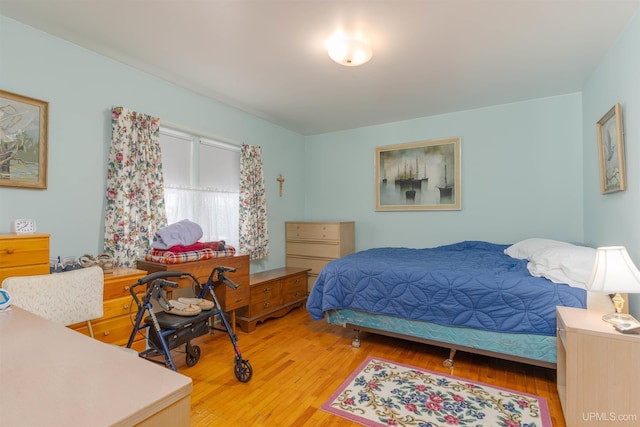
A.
pixel 81 87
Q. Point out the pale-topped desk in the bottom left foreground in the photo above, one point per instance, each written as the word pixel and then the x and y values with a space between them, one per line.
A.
pixel 53 376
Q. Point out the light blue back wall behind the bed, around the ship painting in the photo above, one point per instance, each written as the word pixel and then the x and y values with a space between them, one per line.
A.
pixel 521 176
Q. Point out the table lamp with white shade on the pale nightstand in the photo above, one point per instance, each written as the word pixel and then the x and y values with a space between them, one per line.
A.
pixel 614 272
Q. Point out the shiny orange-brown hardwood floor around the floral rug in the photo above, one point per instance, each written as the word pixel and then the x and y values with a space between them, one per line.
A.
pixel 298 363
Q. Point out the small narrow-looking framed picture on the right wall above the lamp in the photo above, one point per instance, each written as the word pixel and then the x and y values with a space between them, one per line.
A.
pixel 611 151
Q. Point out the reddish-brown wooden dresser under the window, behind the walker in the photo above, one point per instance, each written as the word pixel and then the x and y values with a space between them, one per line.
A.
pixel 230 299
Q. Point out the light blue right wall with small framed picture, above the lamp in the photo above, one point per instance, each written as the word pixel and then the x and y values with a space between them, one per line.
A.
pixel 614 219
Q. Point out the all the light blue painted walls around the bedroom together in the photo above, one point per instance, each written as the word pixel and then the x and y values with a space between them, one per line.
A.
pixel 528 169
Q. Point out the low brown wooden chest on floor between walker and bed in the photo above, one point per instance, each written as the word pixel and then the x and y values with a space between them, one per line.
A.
pixel 273 293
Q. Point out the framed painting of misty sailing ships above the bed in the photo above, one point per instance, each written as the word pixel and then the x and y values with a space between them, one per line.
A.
pixel 418 176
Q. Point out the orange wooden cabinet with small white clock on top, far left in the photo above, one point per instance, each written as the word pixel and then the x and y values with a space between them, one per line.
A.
pixel 23 255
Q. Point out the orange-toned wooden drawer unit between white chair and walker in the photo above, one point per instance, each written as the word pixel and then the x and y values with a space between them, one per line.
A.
pixel 116 324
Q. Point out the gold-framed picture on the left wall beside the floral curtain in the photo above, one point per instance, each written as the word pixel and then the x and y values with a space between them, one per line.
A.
pixel 23 141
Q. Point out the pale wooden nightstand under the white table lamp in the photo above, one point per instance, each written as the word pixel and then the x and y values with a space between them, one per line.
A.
pixel 597 370
